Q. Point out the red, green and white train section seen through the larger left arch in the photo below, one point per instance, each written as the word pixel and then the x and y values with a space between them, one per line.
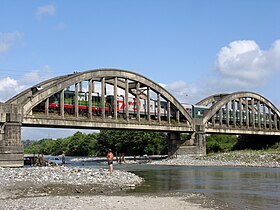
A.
pixel 83 104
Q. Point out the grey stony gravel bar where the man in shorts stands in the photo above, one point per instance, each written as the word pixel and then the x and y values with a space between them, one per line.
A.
pixel 43 181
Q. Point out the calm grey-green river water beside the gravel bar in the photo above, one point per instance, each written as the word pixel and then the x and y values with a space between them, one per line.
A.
pixel 240 188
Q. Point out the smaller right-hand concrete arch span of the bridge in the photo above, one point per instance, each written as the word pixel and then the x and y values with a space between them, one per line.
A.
pixel 239 113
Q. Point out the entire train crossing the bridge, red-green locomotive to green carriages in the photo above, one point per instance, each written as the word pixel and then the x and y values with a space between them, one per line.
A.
pixel 195 111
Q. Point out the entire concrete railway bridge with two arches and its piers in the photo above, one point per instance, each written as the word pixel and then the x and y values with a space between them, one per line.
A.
pixel 119 99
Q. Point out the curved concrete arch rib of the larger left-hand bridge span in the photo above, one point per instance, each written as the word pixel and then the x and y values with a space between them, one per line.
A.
pixel 60 83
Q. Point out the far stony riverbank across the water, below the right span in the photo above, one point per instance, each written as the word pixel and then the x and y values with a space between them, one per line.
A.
pixel 261 158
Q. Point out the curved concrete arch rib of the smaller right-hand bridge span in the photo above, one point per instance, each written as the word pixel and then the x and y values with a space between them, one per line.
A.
pixel 236 96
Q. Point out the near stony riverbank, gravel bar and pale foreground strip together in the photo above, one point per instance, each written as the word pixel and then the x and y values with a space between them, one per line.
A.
pixel 79 188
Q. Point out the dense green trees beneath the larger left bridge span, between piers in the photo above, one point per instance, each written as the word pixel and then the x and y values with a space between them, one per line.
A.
pixel 80 144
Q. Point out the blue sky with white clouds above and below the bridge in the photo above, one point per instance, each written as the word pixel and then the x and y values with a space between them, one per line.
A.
pixel 193 48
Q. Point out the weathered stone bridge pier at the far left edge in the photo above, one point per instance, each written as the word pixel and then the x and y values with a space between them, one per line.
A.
pixel 11 149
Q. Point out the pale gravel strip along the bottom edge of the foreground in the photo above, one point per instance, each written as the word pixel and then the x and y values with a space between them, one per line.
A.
pixel 99 202
